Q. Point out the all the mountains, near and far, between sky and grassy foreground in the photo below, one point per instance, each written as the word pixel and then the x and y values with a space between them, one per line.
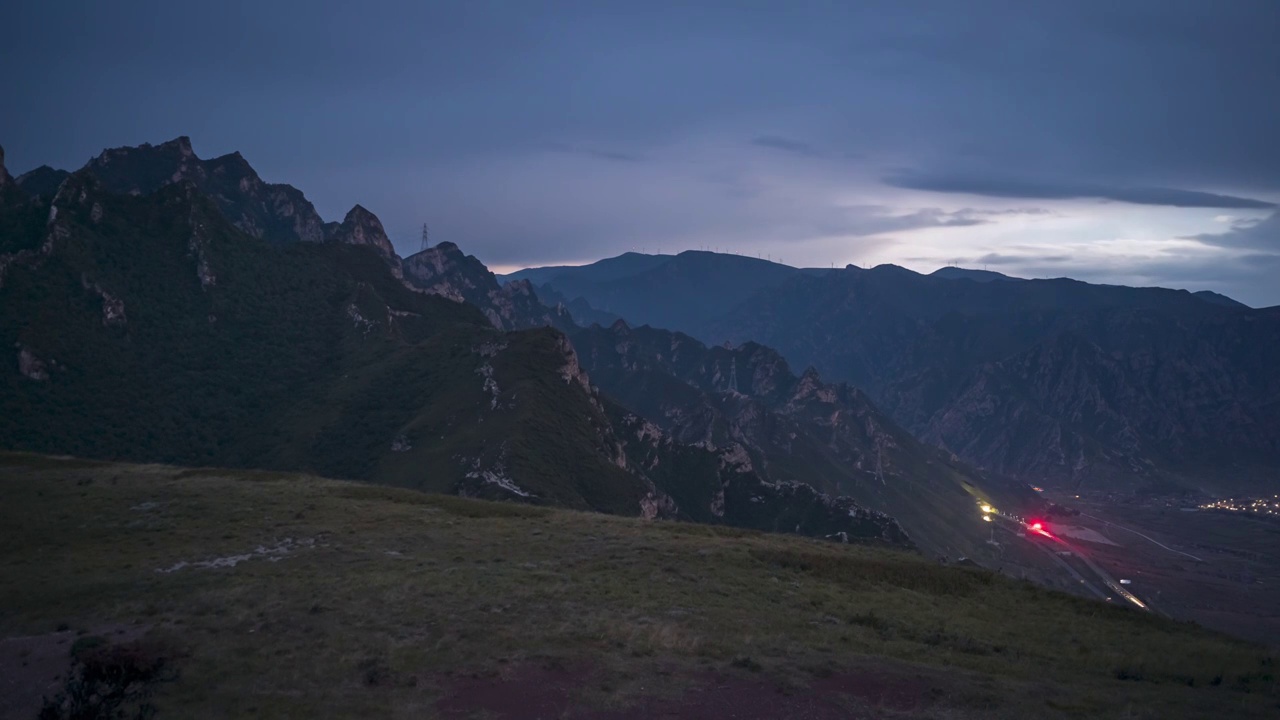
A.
pixel 167 308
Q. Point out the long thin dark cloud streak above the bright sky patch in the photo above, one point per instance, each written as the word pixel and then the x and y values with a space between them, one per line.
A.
pixel 1003 188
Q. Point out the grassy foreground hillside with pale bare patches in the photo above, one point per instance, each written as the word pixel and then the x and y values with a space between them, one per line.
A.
pixel 342 600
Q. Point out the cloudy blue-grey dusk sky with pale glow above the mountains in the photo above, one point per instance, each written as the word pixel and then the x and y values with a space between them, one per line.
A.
pixel 1123 142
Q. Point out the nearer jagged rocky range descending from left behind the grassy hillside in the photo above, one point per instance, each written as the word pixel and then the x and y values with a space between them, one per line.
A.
pixel 166 308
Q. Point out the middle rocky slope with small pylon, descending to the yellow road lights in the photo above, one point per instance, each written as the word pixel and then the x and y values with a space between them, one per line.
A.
pixel 746 404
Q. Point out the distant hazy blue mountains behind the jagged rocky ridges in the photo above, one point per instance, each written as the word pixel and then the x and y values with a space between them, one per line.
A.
pixel 1054 382
